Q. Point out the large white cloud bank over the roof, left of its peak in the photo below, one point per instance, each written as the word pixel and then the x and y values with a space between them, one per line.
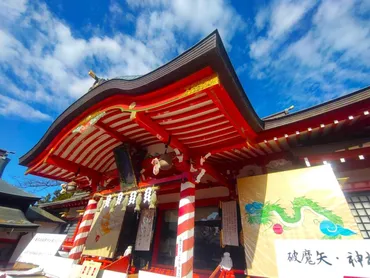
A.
pixel 44 63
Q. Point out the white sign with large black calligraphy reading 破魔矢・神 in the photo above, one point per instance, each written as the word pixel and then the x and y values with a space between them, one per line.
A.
pixel 323 258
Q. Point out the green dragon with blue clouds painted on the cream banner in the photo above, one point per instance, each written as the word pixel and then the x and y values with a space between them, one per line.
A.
pixel 331 225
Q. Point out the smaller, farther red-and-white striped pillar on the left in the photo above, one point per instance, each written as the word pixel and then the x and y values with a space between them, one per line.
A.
pixel 83 230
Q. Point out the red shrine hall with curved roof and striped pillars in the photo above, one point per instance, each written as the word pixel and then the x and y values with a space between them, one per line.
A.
pixel 155 159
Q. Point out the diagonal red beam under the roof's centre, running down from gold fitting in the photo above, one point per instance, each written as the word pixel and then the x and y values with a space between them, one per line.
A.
pixel 155 129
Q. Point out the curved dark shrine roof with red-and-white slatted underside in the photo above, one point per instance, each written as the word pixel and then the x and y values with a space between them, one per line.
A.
pixel 195 102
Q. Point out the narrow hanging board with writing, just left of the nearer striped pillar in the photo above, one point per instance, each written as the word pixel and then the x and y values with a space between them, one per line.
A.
pixel 145 230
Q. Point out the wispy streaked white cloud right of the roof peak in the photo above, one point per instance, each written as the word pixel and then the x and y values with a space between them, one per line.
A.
pixel 312 52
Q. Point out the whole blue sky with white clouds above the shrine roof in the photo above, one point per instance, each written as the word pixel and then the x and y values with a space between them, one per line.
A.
pixel 285 52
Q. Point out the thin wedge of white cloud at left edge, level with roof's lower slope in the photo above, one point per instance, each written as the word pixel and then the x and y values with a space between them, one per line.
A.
pixel 12 107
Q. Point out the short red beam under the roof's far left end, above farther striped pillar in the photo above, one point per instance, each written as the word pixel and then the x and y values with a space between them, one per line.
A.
pixel 72 167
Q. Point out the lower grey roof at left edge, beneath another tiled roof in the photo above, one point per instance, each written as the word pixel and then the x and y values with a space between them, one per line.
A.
pixel 14 218
